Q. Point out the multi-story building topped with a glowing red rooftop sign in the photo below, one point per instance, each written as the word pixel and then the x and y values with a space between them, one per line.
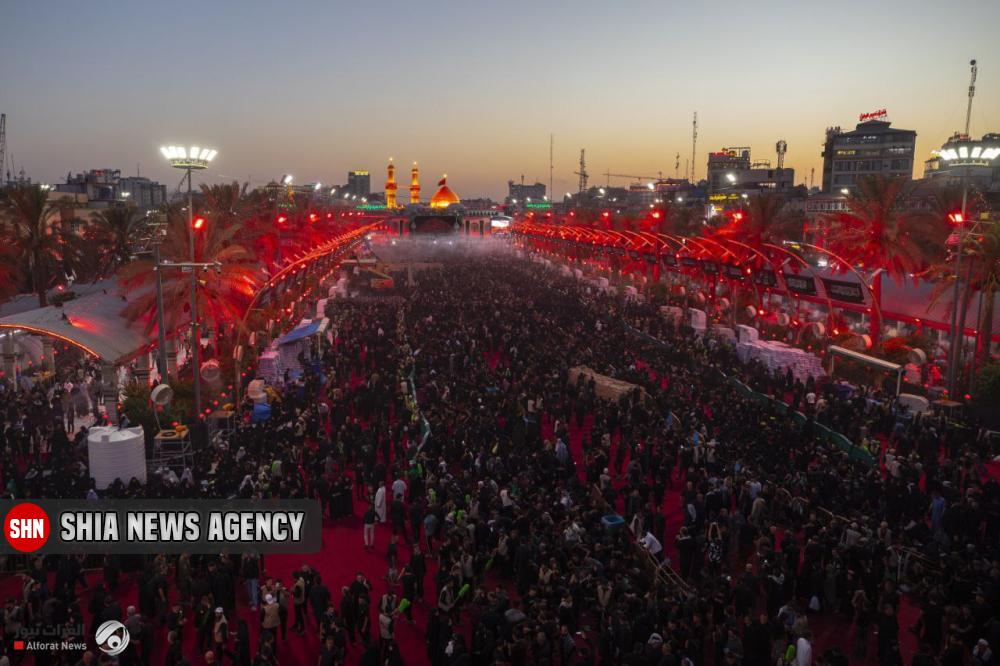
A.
pixel 872 148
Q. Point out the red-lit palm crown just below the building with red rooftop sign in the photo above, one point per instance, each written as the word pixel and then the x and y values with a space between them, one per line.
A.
pixel 878 231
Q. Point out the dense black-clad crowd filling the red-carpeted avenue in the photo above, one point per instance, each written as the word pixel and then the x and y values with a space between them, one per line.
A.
pixel 526 520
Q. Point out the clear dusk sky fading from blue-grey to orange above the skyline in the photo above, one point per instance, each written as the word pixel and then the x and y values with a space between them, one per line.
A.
pixel 474 88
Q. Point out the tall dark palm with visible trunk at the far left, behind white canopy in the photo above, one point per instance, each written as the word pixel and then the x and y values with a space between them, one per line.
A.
pixel 36 230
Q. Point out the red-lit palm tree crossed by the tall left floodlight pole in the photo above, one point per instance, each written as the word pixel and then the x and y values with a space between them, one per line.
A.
pixel 222 294
